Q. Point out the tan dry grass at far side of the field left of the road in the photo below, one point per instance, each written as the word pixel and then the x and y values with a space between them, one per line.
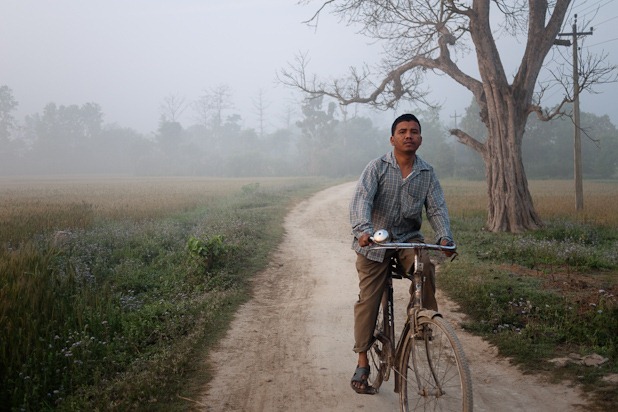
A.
pixel 29 206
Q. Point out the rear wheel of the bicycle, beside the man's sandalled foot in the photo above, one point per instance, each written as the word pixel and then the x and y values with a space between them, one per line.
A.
pixel 378 353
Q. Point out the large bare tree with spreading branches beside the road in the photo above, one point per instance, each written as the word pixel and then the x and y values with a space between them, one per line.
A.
pixel 421 35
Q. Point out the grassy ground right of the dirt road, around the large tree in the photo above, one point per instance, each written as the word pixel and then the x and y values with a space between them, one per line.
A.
pixel 546 299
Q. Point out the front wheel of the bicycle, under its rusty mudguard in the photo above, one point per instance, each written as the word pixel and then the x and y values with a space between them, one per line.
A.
pixel 434 371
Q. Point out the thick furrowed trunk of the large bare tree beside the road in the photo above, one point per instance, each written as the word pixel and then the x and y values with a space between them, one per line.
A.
pixel 504 112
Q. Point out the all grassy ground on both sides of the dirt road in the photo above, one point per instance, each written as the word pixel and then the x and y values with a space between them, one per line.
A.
pixel 111 288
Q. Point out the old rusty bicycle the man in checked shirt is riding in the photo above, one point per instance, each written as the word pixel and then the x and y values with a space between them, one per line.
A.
pixel 429 364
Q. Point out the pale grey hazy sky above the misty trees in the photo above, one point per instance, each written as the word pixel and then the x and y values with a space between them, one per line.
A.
pixel 128 55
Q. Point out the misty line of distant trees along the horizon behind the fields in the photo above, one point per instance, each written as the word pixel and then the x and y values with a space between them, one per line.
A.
pixel 323 141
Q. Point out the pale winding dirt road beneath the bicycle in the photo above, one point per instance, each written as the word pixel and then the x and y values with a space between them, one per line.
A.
pixel 290 348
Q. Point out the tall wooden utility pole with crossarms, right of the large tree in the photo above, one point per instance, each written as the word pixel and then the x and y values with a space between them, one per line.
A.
pixel 577 141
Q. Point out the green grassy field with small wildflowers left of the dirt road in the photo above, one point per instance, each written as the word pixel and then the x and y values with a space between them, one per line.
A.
pixel 110 291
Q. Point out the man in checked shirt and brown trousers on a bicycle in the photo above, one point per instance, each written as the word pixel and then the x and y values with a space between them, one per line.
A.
pixel 390 194
